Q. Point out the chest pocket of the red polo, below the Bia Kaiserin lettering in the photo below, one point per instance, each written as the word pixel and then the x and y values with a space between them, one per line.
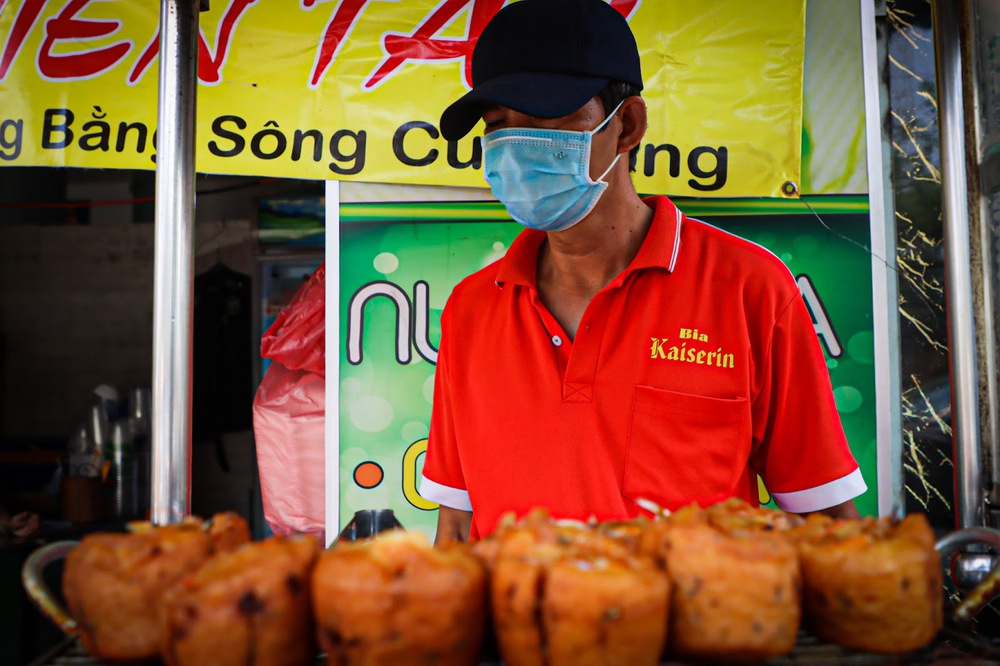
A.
pixel 684 448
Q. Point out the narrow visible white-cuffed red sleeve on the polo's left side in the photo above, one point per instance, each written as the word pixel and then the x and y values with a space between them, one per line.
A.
pixel 443 481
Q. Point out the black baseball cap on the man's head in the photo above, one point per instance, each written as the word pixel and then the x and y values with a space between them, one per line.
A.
pixel 545 58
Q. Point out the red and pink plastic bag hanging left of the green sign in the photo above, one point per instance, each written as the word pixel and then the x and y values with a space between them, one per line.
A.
pixel 289 414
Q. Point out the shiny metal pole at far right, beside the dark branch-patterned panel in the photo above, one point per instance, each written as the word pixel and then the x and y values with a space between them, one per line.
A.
pixel 955 215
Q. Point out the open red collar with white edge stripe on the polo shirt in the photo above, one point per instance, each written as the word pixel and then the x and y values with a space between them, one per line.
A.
pixel 659 249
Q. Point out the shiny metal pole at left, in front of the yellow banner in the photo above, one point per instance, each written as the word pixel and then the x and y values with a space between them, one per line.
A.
pixel 173 261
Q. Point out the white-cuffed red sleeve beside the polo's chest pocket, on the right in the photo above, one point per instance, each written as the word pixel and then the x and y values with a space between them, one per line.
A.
pixel 800 449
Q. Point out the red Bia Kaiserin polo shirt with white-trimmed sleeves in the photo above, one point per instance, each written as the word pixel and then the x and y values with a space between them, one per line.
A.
pixel 694 370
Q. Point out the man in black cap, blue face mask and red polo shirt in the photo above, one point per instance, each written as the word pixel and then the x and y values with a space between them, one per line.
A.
pixel 621 356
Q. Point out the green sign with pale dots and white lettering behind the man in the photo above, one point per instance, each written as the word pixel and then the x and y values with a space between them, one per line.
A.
pixel 399 262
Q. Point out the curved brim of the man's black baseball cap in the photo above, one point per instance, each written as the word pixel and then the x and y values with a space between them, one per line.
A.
pixel 540 94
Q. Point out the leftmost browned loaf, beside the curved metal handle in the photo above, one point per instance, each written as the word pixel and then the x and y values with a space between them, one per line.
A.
pixel 114 585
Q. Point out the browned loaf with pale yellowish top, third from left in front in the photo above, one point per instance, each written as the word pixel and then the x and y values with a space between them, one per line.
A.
pixel 395 600
